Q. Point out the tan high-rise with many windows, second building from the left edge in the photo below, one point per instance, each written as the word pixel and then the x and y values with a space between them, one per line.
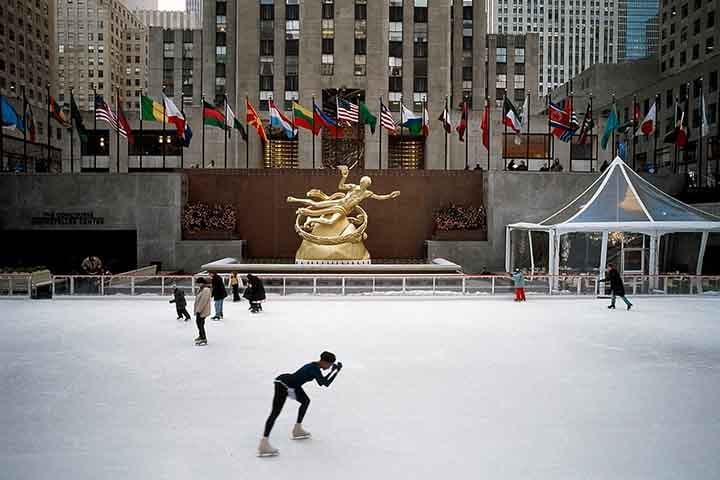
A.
pixel 102 48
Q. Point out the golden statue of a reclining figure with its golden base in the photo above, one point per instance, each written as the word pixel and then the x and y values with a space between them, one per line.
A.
pixel 333 227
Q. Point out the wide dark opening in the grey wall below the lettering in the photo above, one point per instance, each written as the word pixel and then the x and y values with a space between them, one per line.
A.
pixel 62 251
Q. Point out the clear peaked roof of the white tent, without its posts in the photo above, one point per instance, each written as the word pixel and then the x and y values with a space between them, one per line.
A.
pixel 622 201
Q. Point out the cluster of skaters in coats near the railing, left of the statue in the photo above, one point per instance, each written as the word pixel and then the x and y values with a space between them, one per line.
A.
pixel 216 291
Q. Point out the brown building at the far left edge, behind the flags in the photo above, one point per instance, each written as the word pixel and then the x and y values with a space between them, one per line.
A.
pixel 27 67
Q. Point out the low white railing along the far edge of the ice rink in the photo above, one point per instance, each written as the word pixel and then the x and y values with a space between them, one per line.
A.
pixel 367 285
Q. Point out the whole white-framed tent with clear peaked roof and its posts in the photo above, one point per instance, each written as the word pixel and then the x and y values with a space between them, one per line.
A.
pixel 619 201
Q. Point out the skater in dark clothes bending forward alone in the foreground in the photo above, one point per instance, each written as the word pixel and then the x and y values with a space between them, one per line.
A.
pixel 290 385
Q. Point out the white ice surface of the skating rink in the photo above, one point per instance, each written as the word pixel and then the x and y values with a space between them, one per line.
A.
pixel 432 388
